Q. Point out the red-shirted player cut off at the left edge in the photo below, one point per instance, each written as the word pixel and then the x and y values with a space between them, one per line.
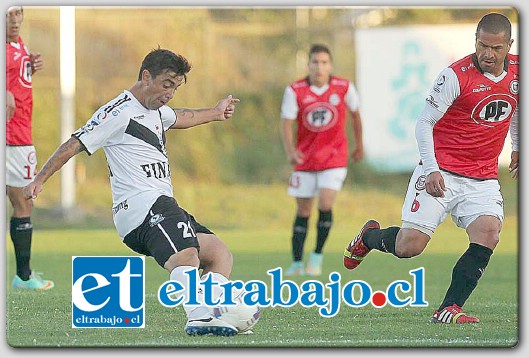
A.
pixel 21 157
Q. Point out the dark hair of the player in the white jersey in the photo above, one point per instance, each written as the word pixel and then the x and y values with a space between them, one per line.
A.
pixel 160 60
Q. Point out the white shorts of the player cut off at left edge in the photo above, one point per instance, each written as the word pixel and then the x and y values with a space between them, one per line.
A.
pixel 21 165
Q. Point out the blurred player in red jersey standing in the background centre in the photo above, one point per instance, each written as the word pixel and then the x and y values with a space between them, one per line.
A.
pixel 318 104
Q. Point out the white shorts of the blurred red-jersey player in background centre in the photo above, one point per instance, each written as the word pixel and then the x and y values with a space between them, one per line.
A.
pixel 308 184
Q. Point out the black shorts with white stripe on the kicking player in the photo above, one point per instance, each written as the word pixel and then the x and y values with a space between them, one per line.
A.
pixel 166 230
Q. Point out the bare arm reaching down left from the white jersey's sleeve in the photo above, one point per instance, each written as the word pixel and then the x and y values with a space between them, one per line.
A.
pixel 67 150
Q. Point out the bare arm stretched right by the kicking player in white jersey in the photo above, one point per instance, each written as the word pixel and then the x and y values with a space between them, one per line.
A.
pixel 187 118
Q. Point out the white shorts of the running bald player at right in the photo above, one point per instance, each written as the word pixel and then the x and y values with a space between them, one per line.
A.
pixel 465 199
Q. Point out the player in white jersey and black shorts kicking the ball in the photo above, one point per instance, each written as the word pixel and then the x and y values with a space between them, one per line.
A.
pixel 131 130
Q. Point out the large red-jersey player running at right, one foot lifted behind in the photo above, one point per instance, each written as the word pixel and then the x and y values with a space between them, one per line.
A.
pixel 460 134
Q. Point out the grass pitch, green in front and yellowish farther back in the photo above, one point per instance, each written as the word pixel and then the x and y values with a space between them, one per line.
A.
pixel 255 221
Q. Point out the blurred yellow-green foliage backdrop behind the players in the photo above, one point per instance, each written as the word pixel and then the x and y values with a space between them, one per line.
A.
pixel 252 53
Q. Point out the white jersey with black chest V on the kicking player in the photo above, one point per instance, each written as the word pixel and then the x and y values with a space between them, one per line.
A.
pixel 133 138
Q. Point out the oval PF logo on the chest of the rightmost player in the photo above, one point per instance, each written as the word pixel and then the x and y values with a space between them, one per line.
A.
pixel 494 108
